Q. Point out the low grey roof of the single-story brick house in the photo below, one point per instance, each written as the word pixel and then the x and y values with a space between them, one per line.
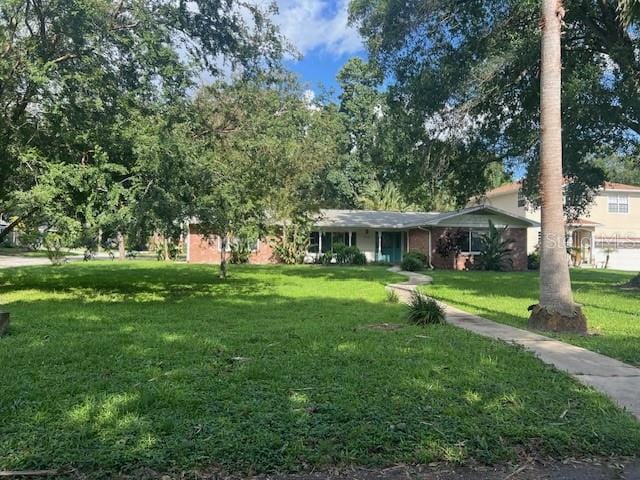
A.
pixel 402 220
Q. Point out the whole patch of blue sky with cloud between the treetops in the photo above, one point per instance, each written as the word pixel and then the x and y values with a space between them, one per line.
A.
pixel 320 32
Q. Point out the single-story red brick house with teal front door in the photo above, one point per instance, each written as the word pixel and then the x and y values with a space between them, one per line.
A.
pixel 386 236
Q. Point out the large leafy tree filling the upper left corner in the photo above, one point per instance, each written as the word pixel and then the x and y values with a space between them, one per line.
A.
pixel 72 73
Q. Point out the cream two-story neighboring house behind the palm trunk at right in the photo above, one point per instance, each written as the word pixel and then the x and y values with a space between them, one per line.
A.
pixel 610 228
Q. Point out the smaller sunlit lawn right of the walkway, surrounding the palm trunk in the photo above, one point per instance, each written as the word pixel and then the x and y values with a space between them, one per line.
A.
pixel 613 313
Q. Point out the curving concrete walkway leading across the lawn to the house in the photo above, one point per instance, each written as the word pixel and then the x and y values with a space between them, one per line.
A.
pixel 617 380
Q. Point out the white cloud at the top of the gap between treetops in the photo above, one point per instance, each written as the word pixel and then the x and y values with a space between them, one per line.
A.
pixel 318 25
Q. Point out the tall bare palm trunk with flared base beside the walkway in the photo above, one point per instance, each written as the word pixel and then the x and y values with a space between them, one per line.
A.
pixel 556 311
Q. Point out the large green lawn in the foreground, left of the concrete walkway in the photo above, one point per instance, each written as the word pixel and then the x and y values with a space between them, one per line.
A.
pixel 111 367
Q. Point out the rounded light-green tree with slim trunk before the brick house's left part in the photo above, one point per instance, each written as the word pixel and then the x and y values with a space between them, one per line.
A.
pixel 264 151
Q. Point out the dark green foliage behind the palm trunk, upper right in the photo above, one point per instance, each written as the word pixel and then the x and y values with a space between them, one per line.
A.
pixel 469 71
